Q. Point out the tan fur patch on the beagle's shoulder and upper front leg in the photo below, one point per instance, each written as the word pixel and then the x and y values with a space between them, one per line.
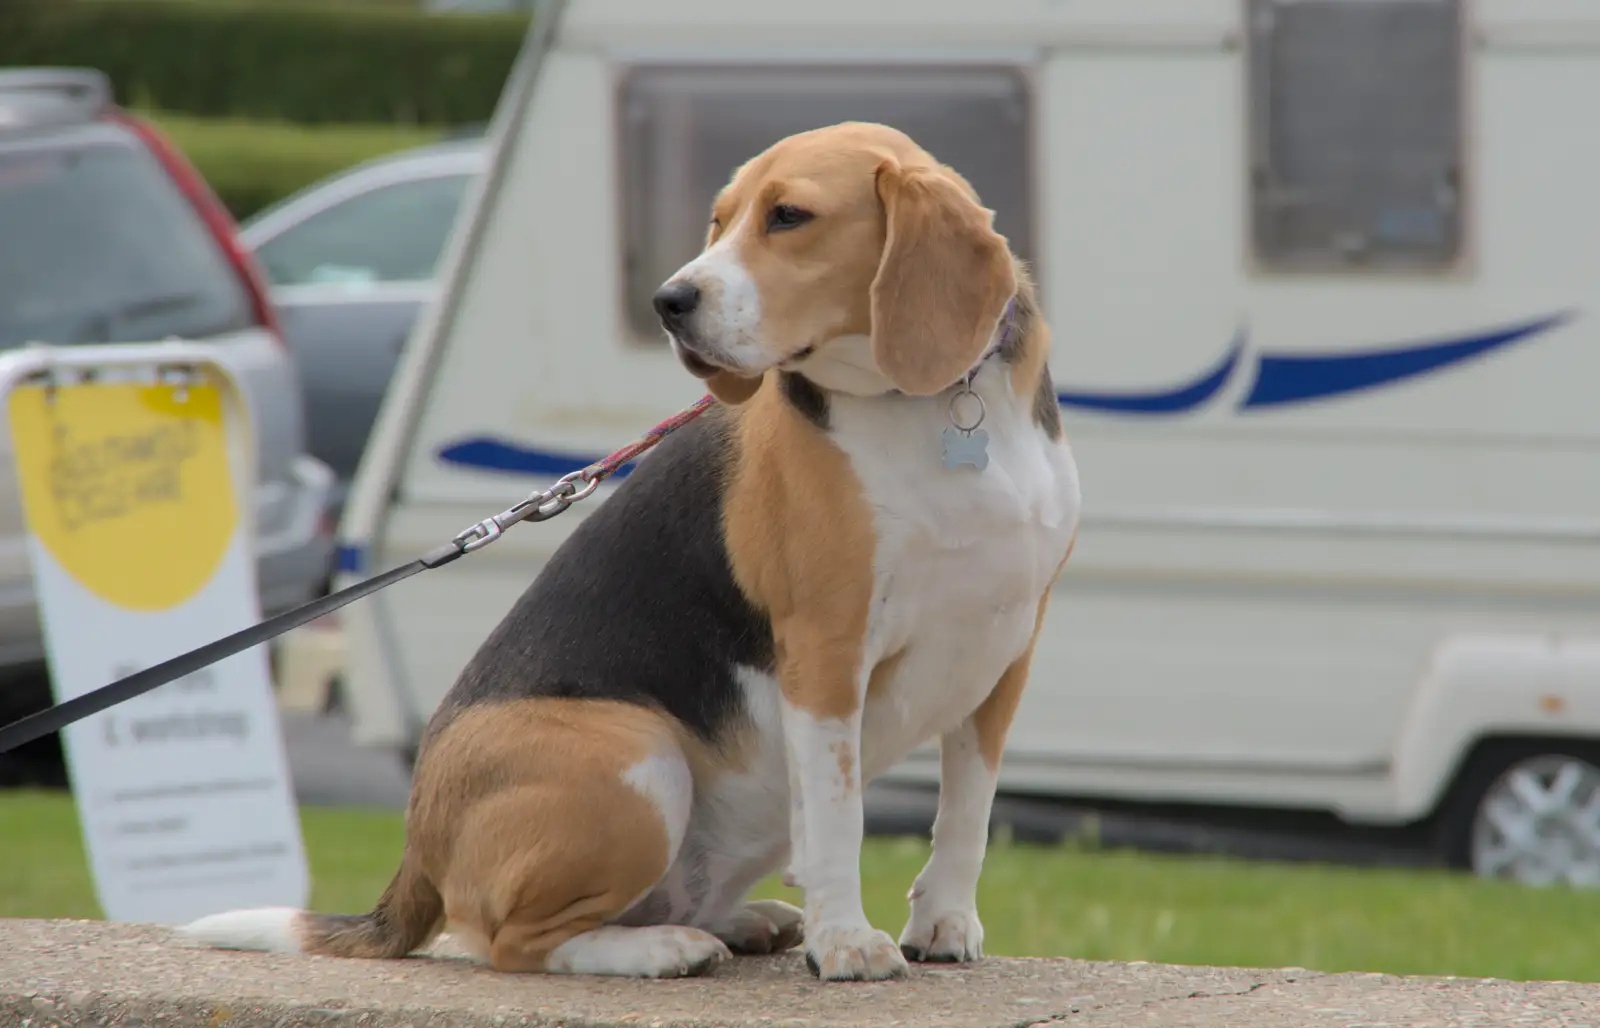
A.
pixel 801 542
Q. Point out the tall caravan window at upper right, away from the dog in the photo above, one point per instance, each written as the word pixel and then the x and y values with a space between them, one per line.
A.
pixel 1356 134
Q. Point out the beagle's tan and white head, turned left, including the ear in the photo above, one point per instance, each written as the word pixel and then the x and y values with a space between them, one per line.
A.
pixel 849 251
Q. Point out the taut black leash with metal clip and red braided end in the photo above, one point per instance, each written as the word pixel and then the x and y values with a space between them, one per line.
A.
pixel 538 507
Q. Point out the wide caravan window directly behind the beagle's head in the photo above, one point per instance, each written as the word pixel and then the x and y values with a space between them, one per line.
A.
pixel 686 131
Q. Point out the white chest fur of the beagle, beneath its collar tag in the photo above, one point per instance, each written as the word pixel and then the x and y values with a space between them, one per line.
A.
pixel 962 558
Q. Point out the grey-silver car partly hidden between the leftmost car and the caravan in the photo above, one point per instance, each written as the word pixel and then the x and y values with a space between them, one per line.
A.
pixel 351 262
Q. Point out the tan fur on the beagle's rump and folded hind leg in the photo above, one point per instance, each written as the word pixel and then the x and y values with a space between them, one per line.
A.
pixel 492 827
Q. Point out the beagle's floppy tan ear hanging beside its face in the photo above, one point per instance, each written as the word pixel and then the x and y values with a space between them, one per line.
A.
pixel 943 283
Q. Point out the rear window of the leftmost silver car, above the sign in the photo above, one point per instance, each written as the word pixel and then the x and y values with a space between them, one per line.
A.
pixel 102 247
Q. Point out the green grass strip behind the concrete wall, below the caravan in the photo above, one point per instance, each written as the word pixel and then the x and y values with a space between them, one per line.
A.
pixel 1034 901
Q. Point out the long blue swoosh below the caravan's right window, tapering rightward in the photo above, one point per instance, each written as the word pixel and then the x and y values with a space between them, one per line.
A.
pixel 1298 379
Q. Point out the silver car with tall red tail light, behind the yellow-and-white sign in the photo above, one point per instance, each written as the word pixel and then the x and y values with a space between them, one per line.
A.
pixel 110 236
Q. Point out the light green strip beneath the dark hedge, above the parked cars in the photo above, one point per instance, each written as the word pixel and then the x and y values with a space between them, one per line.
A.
pixel 255 164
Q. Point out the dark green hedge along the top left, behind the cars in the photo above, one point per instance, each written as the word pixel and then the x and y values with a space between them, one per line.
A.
pixel 278 62
